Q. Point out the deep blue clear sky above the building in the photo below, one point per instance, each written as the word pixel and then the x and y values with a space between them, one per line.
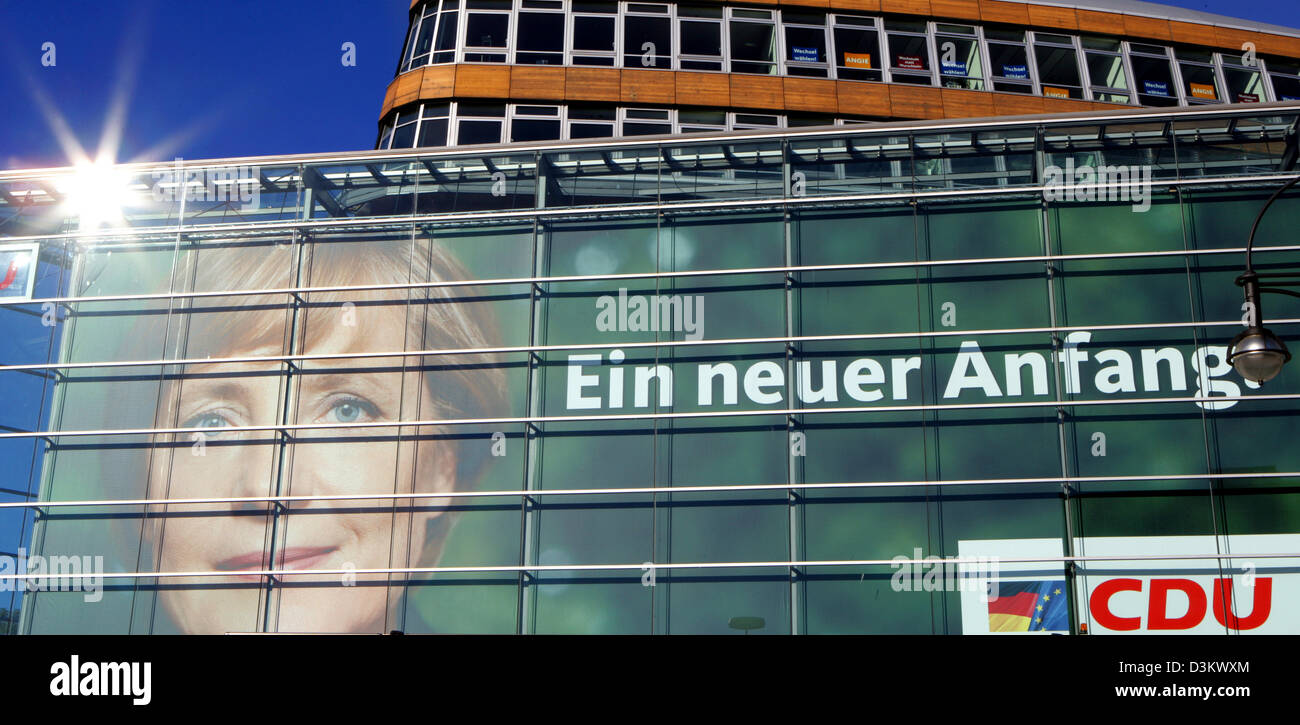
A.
pixel 232 79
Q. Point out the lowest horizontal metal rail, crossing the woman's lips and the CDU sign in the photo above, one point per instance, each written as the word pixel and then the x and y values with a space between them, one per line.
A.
pixel 651 566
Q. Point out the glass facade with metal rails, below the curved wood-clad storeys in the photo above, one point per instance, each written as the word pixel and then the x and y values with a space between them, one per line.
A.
pixel 691 387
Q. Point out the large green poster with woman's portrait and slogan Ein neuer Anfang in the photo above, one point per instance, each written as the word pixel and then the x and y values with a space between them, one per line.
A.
pixel 647 424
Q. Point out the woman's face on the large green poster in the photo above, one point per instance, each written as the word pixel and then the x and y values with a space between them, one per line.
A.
pixel 306 535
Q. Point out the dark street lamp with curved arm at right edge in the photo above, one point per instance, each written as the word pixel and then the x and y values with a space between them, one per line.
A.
pixel 1256 354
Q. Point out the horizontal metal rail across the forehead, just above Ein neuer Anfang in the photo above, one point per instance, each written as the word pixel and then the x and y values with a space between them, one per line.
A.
pixel 536 349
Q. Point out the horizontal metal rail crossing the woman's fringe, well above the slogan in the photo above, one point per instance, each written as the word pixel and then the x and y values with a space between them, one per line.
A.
pixel 632 276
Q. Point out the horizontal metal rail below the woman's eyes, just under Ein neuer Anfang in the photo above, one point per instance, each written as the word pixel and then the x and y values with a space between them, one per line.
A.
pixel 649 416
